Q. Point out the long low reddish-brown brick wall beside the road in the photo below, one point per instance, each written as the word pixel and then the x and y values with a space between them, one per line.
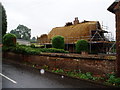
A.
pixel 97 64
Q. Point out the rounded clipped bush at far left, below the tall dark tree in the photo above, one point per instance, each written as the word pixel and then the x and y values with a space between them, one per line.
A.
pixel 9 40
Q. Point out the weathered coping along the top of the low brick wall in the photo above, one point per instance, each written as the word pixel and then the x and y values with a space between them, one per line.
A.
pixel 79 56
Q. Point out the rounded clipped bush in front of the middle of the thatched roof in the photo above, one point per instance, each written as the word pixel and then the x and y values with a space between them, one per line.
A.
pixel 58 42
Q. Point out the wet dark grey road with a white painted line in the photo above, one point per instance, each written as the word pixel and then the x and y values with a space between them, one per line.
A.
pixel 26 77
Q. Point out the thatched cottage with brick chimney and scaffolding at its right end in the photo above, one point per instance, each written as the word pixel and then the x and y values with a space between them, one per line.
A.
pixel 88 30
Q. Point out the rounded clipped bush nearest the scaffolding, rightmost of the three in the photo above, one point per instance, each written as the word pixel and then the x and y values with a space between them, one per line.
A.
pixel 81 45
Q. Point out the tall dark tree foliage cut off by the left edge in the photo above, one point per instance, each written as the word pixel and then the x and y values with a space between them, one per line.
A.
pixel 4 20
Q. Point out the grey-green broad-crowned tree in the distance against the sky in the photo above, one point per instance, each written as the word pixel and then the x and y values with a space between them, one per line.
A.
pixel 22 32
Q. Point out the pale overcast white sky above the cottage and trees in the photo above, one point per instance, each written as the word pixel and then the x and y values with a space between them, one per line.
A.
pixel 43 15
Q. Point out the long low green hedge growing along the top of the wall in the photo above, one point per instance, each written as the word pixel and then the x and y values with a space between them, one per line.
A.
pixel 22 49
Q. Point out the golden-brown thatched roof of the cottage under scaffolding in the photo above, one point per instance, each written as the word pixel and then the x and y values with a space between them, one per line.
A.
pixel 75 32
